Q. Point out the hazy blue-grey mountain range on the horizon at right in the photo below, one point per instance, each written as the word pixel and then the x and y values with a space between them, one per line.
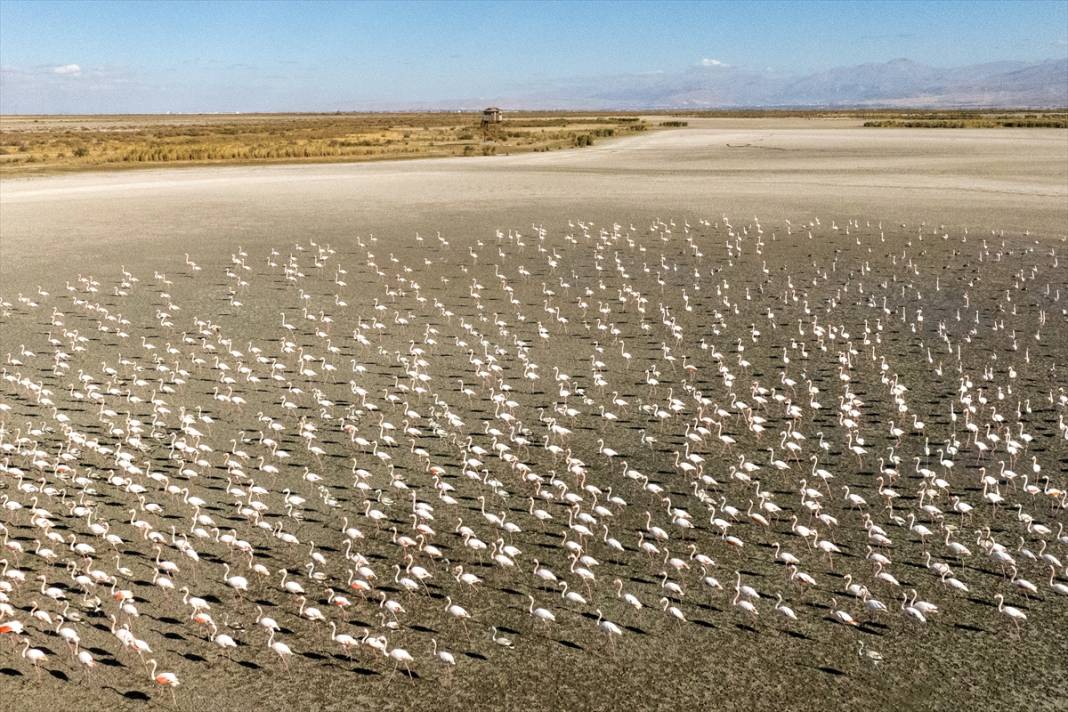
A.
pixel 899 84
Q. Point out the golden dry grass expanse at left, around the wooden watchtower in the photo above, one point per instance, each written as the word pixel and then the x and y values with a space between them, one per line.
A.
pixel 50 145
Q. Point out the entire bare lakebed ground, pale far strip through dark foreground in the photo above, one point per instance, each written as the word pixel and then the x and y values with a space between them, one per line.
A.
pixel 753 252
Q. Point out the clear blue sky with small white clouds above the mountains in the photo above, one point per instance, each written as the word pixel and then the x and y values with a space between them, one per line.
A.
pixel 153 57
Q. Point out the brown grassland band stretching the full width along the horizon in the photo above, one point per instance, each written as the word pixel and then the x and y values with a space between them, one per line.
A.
pixel 43 146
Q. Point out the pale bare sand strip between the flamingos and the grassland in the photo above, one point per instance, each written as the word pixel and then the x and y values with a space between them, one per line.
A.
pixel 987 180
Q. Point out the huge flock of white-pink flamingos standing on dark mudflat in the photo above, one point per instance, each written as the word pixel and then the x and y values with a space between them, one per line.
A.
pixel 409 456
